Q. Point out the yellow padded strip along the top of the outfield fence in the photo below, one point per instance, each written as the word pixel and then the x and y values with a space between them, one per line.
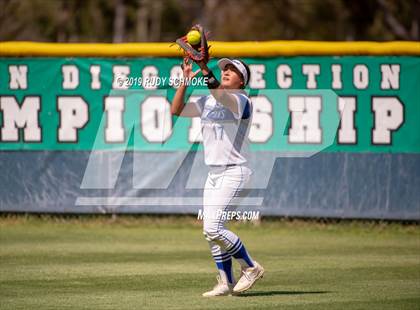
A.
pixel 218 49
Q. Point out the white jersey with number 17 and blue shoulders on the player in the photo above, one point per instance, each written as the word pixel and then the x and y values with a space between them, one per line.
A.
pixel 225 134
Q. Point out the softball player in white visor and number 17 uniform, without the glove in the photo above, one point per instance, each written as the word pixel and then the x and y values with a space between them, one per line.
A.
pixel 225 117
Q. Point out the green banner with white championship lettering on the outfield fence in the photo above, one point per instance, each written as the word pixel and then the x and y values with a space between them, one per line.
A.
pixel 349 103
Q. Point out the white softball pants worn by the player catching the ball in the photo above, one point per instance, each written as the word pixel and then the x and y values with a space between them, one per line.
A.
pixel 223 191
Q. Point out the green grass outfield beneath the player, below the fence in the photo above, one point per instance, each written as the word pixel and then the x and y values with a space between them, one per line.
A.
pixel 164 263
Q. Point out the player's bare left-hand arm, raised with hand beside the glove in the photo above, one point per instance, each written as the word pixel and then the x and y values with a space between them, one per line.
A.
pixel 178 106
